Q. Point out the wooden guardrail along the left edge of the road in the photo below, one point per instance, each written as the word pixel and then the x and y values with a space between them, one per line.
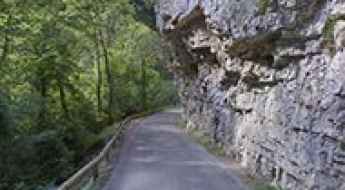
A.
pixel 92 171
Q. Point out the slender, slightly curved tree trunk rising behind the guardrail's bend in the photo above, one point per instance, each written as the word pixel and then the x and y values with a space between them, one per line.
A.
pixel 110 80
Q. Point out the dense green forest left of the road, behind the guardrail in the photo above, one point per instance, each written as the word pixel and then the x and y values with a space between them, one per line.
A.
pixel 69 69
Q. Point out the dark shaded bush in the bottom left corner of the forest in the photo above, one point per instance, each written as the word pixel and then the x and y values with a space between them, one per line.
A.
pixel 36 160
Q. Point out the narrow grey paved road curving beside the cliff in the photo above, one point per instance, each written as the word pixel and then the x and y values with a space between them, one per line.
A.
pixel 158 156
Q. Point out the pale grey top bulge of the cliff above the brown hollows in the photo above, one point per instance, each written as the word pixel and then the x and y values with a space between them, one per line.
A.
pixel 240 19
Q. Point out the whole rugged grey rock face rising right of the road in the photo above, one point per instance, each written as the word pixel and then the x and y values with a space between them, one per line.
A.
pixel 265 79
